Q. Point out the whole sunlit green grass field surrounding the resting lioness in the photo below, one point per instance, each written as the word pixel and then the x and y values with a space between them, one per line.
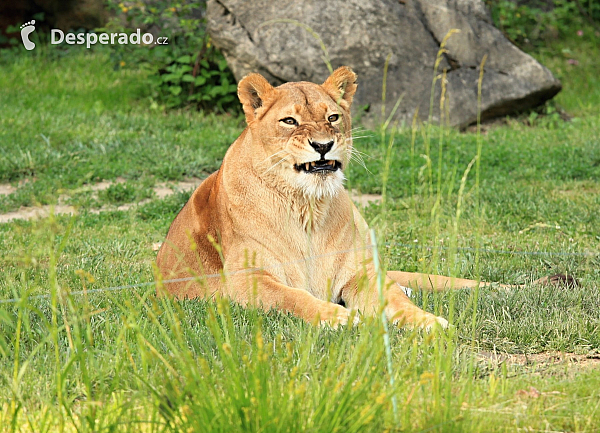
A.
pixel 73 358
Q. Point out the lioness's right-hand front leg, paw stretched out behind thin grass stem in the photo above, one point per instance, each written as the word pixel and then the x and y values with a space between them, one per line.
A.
pixel 398 307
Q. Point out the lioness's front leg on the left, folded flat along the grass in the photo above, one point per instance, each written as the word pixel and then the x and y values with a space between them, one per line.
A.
pixel 263 290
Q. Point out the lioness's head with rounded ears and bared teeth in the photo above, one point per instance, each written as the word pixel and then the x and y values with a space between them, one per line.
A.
pixel 301 132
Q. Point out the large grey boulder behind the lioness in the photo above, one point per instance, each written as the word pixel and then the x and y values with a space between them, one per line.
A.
pixel 362 33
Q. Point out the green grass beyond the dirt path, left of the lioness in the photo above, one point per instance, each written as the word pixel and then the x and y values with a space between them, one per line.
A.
pixel 70 121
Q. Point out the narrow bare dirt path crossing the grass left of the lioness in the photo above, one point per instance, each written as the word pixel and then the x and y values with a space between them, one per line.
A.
pixel 162 190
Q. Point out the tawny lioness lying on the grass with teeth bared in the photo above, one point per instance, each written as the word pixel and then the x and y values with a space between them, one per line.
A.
pixel 278 212
